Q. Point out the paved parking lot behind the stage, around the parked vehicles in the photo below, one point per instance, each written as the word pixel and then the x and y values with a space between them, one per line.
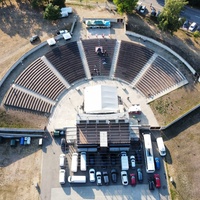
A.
pixel 103 162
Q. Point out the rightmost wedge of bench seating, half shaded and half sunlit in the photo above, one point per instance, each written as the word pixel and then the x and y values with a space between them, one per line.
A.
pixel 159 77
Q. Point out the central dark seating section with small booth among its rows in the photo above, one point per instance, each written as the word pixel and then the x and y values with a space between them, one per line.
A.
pixel 99 62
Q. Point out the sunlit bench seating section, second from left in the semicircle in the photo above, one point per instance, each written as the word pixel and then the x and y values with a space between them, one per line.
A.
pixel 39 78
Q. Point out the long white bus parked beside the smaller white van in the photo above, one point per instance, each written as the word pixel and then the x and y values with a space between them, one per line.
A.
pixel 148 153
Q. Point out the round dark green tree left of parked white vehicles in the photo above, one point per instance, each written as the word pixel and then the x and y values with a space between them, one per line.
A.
pixel 52 12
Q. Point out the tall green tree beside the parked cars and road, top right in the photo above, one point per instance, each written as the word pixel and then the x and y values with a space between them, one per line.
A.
pixel 169 17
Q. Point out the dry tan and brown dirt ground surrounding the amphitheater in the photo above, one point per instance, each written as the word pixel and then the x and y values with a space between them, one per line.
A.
pixel 20 166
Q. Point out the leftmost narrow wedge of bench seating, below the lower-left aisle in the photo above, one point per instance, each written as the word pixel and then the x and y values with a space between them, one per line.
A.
pixel 19 99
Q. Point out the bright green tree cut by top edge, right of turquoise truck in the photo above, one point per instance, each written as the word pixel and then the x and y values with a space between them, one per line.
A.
pixel 125 6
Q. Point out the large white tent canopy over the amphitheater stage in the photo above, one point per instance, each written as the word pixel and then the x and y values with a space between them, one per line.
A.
pixel 100 99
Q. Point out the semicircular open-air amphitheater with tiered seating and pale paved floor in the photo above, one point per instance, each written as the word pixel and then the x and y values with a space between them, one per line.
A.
pixel 51 80
